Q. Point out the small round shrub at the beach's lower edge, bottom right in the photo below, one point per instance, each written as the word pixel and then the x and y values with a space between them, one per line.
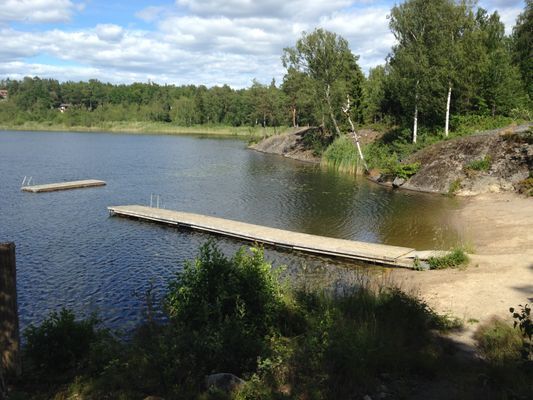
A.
pixel 498 342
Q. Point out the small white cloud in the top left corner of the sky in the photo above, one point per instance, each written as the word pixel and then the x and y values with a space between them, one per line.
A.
pixel 38 11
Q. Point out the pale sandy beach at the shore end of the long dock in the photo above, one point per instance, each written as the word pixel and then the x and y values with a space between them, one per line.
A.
pixel 500 275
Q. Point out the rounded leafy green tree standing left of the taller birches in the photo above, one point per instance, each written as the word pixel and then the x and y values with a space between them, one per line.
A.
pixel 326 59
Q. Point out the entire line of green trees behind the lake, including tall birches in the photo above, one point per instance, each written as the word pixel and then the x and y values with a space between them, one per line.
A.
pixel 450 58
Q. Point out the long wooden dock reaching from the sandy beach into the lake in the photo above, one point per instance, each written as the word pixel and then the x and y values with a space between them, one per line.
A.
pixel 361 251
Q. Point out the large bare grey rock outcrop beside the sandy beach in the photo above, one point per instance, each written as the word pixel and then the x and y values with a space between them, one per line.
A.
pixel 450 166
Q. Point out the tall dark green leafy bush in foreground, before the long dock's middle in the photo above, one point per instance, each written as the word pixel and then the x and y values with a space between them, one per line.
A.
pixel 224 310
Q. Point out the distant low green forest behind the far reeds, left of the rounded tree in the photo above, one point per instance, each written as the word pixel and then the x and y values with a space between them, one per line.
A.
pixel 96 104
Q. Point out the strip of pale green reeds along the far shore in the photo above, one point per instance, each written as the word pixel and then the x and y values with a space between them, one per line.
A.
pixel 156 128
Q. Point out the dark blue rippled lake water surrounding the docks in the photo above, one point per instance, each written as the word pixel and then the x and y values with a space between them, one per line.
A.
pixel 71 253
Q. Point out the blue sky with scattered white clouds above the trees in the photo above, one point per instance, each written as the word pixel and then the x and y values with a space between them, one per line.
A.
pixel 208 42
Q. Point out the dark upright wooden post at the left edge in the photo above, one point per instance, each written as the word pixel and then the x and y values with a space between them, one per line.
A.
pixel 9 321
